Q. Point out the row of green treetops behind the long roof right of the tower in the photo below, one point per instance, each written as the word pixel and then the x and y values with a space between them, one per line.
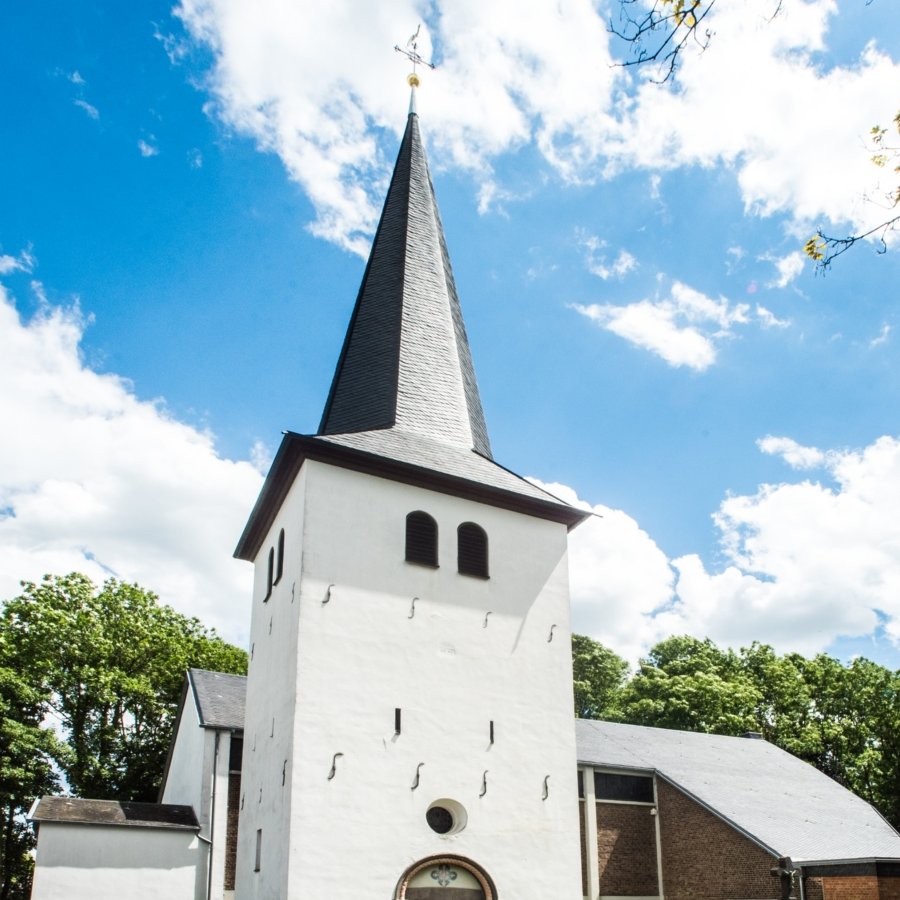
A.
pixel 843 719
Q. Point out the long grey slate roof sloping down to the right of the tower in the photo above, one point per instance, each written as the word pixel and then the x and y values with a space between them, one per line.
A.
pixel 784 804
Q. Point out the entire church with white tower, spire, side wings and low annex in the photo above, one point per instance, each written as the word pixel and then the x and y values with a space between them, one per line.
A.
pixel 405 730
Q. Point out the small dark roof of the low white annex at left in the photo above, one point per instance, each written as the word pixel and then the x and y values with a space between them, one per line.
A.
pixel 76 811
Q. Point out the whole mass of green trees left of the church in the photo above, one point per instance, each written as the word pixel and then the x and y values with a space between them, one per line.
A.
pixel 90 679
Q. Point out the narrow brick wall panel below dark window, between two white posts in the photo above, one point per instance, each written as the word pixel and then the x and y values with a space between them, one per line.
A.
pixel 626 850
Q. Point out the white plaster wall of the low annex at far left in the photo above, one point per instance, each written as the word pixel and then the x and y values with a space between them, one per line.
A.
pixel 112 863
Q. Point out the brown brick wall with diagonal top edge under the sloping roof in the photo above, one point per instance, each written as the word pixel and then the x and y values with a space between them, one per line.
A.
pixel 704 857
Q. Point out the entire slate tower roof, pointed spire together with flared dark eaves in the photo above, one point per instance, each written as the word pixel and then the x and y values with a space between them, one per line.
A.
pixel 404 399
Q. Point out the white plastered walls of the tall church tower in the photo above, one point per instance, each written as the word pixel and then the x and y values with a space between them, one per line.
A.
pixel 361 655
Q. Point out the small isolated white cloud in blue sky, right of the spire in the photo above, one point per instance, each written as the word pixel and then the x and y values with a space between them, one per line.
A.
pixel 682 329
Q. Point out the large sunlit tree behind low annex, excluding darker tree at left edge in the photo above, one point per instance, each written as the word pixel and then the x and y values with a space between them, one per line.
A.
pixel 108 664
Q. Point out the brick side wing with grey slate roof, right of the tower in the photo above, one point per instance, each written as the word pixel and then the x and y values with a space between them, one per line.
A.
pixel 686 816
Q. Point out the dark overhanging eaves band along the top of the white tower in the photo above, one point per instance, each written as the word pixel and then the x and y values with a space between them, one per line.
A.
pixel 296 448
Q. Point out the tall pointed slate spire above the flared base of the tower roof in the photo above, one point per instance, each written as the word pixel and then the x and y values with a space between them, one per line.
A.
pixel 406 364
